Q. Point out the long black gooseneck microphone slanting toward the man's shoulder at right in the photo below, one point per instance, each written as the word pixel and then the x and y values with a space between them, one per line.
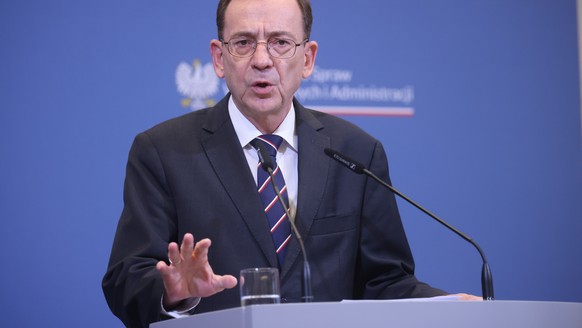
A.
pixel 486 275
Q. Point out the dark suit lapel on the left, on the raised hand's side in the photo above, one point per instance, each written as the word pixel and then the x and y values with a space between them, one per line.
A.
pixel 227 158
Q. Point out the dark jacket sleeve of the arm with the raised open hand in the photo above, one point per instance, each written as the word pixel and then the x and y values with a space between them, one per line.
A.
pixel 132 286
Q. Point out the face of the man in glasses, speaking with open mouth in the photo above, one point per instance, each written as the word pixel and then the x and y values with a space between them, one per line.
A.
pixel 262 86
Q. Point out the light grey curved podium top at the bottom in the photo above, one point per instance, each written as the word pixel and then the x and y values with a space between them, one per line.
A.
pixel 390 313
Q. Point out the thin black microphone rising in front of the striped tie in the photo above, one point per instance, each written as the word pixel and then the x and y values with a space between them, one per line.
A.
pixel 268 165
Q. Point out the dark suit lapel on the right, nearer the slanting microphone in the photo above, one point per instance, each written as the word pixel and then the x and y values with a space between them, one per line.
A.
pixel 313 170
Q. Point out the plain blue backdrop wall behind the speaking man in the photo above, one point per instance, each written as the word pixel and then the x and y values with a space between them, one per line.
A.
pixel 477 103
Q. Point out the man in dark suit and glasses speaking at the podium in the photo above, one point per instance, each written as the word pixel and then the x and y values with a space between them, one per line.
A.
pixel 196 177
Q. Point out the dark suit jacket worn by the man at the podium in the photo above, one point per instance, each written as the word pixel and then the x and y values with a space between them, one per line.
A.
pixel 189 174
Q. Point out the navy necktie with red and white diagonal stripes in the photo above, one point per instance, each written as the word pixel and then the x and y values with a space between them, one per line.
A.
pixel 276 215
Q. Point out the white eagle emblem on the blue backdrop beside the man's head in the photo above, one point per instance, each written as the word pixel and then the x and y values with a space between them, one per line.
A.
pixel 197 83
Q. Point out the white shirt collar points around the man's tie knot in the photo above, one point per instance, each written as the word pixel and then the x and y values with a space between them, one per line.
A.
pixel 246 131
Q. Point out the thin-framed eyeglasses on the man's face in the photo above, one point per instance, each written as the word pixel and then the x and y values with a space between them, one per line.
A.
pixel 276 47
